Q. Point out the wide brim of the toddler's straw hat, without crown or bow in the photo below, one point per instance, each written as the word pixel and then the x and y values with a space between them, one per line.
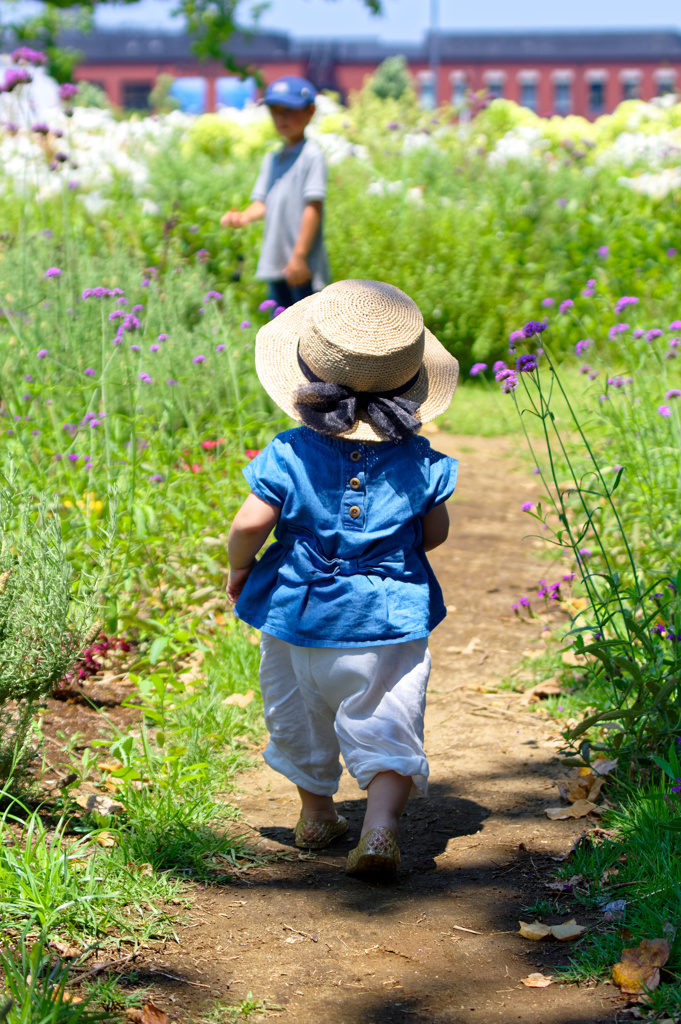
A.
pixel 280 374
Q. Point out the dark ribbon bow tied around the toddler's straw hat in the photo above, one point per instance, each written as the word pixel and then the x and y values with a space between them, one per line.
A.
pixel 333 409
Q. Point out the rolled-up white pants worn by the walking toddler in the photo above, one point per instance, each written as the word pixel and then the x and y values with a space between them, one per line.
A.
pixel 365 703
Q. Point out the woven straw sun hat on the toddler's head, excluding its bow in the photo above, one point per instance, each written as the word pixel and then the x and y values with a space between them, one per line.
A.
pixel 365 335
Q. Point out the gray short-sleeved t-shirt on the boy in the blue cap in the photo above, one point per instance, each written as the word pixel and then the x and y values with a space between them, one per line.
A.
pixel 288 181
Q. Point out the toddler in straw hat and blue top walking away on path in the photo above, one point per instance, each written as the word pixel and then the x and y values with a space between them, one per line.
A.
pixel 346 598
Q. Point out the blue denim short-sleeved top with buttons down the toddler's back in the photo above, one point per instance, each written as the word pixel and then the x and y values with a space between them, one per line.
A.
pixel 348 568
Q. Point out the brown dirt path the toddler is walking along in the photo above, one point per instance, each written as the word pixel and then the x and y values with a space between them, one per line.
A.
pixel 440 948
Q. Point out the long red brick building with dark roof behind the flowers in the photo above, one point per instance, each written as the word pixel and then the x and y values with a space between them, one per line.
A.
pixel 552 73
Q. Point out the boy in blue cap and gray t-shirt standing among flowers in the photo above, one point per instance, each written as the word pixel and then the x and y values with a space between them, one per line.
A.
pixel 289 193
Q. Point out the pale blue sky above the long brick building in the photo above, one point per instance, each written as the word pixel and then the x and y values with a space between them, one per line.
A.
pixel 408 20
